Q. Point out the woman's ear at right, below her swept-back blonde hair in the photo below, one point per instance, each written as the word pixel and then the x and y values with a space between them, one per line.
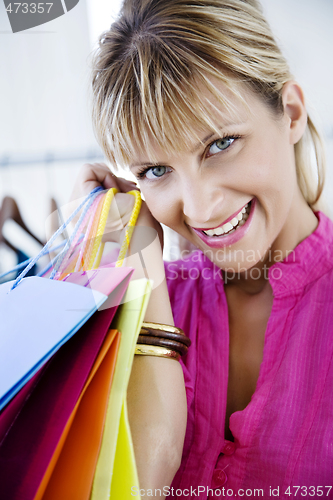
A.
pixel 294 110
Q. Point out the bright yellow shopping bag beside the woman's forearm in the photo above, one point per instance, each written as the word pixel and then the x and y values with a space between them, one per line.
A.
pixel 116 452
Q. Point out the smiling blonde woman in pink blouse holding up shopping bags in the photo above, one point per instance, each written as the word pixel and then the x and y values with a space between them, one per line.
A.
pixel 198 101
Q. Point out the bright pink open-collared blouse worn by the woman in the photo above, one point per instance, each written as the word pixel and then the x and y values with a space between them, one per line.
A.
pixel 284 437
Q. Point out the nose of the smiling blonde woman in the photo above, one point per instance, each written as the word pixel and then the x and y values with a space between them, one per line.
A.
pixel 201 202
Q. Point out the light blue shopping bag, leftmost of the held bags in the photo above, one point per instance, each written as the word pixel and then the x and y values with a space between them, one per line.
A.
pixel 40 315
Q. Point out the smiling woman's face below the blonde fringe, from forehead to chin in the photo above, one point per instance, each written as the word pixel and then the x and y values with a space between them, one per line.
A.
pixel 235 195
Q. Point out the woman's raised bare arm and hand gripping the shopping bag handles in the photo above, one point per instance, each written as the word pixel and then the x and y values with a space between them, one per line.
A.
pixel 156 394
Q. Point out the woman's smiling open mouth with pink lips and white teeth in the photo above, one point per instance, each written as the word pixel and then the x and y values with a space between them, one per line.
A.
pixel 231 230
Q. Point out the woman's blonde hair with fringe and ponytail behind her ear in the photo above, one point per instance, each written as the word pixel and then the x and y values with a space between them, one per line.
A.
pixel 147 68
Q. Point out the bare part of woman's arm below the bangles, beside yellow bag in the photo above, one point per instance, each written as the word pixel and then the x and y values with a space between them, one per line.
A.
pixel 157 415
